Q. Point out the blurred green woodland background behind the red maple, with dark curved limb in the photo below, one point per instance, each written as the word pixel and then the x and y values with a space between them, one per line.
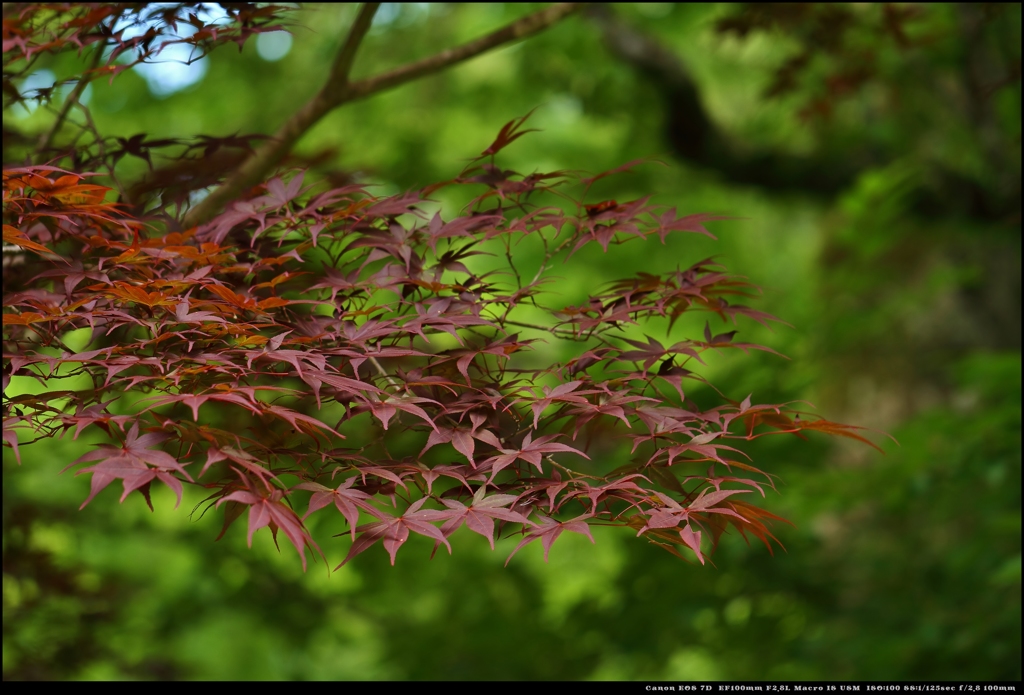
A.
pixel 879 183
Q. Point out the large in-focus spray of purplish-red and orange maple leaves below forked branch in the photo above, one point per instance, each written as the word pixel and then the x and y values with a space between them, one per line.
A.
pixel 340 298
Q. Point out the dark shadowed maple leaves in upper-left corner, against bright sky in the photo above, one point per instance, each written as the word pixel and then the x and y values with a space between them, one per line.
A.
pixel 113 38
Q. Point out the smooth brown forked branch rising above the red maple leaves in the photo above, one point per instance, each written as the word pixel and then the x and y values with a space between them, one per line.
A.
pixel 338 92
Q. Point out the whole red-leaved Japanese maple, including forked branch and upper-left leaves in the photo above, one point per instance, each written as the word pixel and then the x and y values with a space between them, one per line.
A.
pixel 296 347
